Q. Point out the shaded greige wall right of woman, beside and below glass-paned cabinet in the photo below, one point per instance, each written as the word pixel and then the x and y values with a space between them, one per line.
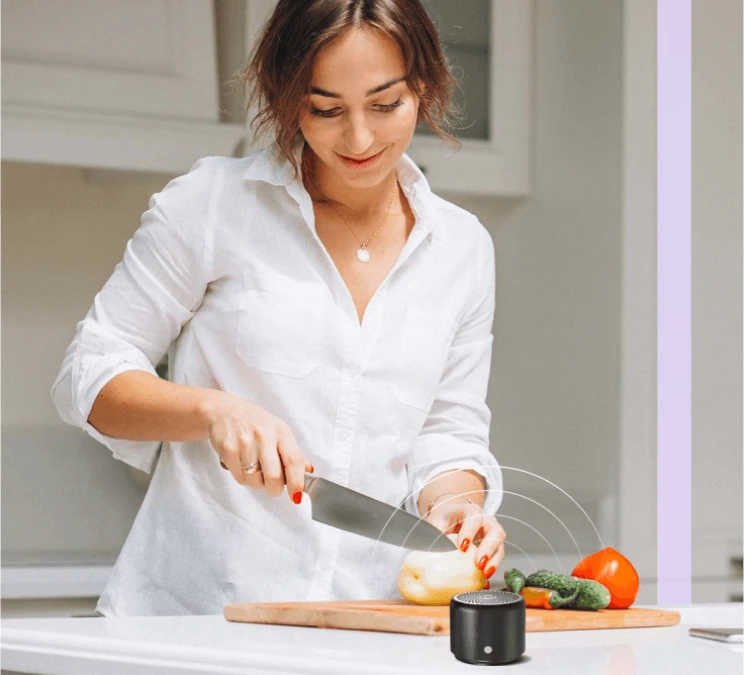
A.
pixel 554 389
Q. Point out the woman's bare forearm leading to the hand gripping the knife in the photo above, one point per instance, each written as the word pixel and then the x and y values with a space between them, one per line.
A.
pixel 140 406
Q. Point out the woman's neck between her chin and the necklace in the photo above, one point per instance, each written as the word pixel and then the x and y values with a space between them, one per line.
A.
pixel 323 186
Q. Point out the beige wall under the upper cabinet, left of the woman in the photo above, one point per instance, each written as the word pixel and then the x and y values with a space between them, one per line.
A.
pixel 63 497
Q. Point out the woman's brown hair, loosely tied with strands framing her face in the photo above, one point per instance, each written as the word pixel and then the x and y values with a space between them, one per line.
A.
pixel 280 67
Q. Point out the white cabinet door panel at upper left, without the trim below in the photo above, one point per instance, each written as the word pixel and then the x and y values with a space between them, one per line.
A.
pixel 150 58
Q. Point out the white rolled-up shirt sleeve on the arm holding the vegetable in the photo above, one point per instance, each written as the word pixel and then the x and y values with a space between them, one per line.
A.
pixel 455 435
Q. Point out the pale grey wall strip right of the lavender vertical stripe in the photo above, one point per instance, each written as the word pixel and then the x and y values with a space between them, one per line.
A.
pixel 716 285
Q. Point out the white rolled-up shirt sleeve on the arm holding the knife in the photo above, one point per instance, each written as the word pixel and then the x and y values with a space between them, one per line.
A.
pixel 151 294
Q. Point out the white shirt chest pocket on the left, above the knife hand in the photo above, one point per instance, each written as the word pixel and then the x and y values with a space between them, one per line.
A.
pixel 281 330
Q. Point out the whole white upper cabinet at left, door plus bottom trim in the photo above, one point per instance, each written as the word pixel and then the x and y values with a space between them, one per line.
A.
pixel 106 84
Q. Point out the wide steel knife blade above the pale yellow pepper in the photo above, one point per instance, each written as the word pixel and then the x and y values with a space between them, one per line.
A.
pixel 341 507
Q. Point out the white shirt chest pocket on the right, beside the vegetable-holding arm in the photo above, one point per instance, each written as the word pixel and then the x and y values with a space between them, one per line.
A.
pixel 422 357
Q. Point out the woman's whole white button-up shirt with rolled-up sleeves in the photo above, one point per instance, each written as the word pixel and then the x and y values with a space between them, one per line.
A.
pixel 227 275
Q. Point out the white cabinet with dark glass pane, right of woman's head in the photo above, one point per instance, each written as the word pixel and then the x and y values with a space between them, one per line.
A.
pixel 490 44
